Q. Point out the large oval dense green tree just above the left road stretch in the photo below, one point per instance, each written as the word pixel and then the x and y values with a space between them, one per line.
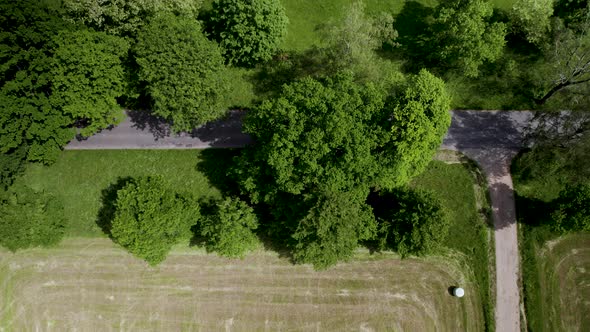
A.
pixel 182 70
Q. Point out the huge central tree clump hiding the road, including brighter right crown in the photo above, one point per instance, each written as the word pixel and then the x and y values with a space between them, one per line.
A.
pixel 322 143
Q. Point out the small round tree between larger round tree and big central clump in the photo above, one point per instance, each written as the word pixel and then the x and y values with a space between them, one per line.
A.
pixel 229 230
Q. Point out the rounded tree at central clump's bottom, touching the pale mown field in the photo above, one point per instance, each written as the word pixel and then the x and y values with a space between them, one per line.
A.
pixel 332 229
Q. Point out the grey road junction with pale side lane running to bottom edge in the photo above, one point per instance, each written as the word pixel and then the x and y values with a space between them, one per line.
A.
pixel 492 139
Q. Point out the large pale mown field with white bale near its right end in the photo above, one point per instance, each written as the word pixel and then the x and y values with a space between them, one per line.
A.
pixel 90 284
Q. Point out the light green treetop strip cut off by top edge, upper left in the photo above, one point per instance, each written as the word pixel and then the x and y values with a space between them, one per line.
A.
pixel 124 17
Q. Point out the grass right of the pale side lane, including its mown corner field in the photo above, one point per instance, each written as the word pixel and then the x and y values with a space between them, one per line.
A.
pixel 555 284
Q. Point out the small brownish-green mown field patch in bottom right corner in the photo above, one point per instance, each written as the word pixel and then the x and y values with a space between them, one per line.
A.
pixel 564 284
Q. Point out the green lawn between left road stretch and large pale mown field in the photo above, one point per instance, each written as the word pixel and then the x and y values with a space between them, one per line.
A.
pixel 79 177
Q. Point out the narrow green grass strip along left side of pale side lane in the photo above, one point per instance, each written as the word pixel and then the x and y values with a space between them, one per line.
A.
pixel 469 234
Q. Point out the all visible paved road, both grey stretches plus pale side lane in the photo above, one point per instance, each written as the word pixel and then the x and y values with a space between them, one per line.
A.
pixel 491 138
